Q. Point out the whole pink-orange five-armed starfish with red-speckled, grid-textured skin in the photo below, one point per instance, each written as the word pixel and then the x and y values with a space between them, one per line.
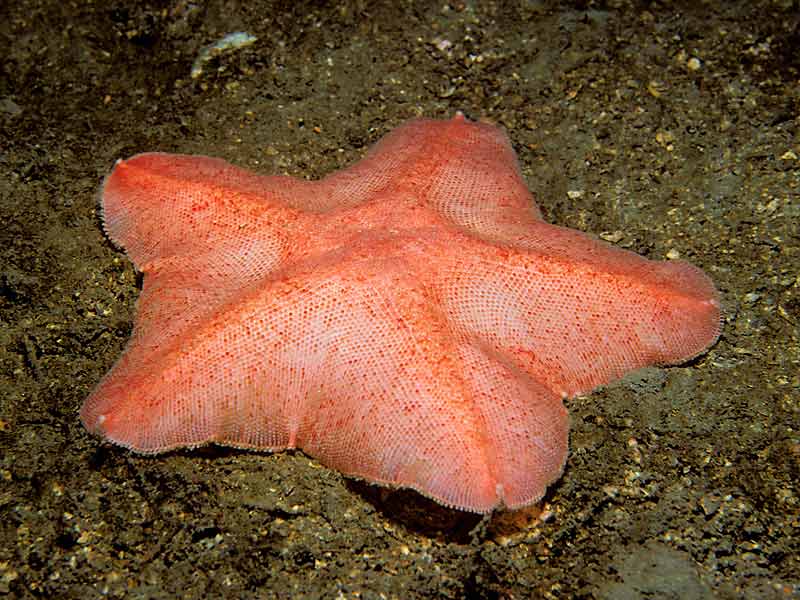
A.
pixel 410 320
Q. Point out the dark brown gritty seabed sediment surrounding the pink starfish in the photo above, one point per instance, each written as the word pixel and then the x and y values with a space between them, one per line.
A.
pixel 671 130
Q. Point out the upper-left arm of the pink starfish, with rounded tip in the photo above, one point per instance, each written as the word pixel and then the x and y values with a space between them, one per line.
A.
pixel 218 218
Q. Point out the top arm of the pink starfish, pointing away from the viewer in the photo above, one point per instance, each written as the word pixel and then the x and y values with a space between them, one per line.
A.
pixel 466 171
